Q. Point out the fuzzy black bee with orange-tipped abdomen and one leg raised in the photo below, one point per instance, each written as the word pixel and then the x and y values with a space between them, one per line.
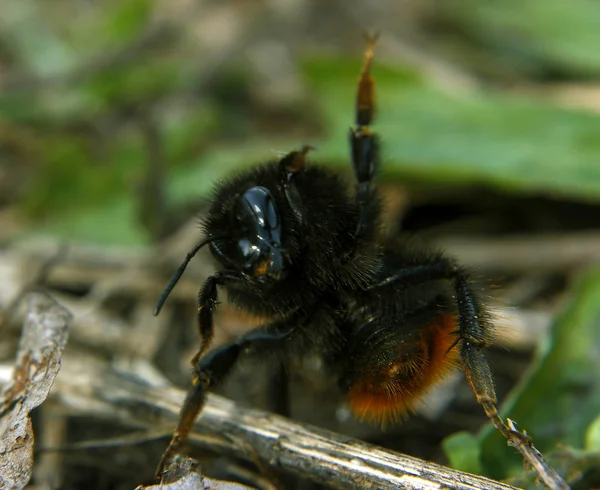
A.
pixel 388 319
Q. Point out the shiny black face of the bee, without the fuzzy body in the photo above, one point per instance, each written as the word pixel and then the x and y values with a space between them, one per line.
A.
pixel 253 246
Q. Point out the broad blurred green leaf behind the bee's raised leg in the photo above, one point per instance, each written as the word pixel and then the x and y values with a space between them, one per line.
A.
pixel 511 143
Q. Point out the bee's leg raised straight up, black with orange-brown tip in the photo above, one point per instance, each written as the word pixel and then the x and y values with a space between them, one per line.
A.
pixel 365 145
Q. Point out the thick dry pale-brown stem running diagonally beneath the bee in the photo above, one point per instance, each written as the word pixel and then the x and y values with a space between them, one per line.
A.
pixel 90 387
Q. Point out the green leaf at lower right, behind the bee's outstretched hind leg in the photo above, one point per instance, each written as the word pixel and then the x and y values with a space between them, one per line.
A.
pixel 559 398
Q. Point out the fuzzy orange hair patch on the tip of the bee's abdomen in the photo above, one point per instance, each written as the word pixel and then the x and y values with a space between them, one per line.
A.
pixel 391 393
